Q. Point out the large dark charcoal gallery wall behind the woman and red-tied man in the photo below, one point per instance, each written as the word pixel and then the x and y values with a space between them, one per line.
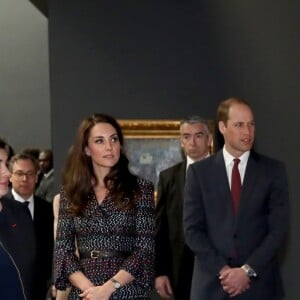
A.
pixel 170 59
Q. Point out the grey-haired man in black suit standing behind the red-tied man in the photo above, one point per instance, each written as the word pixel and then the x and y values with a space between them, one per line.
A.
pixel 174 260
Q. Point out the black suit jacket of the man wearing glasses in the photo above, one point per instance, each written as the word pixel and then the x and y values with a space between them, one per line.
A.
pixel 43 227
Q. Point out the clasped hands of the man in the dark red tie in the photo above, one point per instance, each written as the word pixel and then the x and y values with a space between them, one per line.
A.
pixel 234 281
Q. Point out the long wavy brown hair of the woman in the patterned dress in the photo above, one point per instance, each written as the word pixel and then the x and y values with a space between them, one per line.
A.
pixel 78 177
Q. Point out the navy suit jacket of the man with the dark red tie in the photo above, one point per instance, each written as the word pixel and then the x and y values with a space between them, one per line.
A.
pixel 254 236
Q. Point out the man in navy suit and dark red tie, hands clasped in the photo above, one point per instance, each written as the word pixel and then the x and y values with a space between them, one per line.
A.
pixel 236 244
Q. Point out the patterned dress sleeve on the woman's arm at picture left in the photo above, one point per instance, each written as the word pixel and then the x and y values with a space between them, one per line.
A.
pixel 65 261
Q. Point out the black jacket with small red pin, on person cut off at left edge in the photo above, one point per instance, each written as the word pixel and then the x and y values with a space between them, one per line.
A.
pixel 18 238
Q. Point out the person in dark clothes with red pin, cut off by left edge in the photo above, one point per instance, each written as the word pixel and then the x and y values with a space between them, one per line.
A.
pixel 17 240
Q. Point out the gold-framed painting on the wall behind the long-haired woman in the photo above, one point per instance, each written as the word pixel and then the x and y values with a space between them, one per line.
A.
pixel 151 146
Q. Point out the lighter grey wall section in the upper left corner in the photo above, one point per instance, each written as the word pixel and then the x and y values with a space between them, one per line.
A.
pixel 24 76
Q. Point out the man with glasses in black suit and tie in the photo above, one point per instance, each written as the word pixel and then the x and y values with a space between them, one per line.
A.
pixel 24 170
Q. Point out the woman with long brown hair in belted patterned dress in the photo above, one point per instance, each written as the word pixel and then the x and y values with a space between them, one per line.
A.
pixel 110 212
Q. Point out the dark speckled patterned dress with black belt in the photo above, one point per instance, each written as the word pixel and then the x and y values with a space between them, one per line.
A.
pixel 105 227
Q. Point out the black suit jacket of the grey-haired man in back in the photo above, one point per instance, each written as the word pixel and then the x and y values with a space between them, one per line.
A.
pixel 173 257
